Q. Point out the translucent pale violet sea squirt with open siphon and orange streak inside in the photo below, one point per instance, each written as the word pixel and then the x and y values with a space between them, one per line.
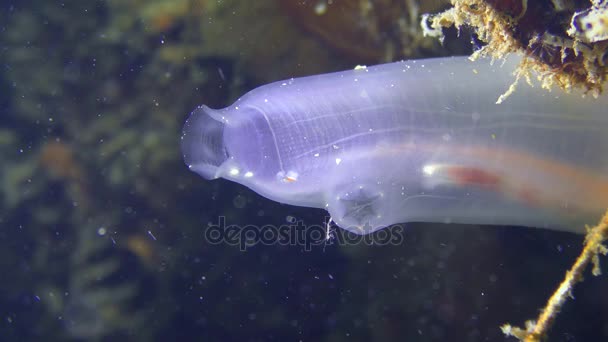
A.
pixel 420 140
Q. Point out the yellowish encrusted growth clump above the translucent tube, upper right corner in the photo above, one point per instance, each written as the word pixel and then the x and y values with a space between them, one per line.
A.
pixel 564 41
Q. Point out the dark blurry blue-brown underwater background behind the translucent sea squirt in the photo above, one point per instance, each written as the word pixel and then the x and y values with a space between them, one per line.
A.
pixel 106 236
